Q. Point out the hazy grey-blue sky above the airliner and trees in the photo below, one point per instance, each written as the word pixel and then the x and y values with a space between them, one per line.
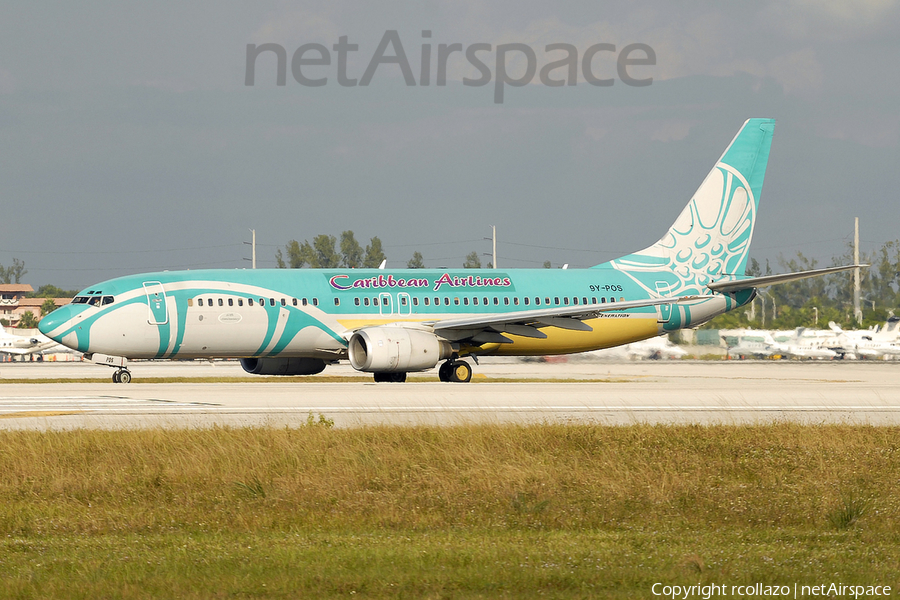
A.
pixel 130 142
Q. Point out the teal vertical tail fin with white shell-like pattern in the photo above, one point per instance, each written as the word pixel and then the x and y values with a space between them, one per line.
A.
pixel 712 235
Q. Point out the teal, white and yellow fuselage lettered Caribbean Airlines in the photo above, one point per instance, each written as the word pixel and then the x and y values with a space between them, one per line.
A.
pixel 311 312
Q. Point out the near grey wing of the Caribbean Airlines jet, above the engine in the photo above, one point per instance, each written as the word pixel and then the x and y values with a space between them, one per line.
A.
pixel 488 328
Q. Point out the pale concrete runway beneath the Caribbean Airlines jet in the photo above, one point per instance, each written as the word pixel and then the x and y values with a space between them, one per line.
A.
pixel 649 391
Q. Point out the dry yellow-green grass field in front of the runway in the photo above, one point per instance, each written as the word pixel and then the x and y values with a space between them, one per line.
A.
pixel 484 511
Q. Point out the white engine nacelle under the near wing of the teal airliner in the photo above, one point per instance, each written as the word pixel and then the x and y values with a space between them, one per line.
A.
pixel 396 349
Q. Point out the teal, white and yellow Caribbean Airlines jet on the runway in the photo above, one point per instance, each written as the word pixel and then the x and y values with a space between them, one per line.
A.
pixel 391 322
